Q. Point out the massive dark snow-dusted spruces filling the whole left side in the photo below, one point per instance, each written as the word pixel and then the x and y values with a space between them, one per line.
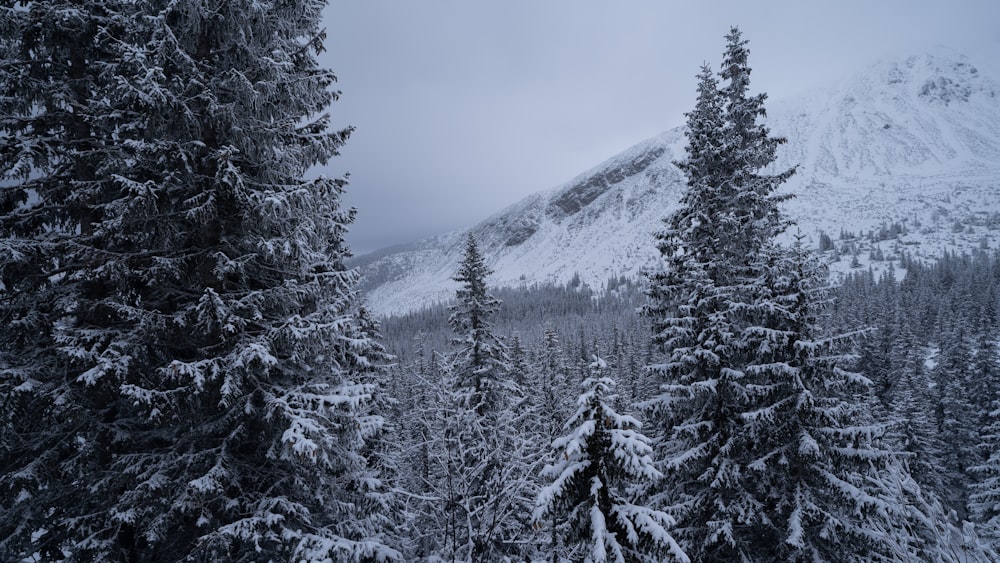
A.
pixel 183 372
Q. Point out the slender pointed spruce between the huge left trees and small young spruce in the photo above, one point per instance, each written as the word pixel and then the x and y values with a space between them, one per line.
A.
pixel 484 458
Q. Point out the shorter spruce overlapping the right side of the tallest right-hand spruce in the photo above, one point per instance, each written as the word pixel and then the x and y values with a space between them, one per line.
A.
pixel 827 487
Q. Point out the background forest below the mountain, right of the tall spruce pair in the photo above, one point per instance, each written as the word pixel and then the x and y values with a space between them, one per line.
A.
pixel 935 347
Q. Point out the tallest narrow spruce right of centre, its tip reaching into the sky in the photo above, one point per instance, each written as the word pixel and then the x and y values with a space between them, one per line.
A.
pixel 711 249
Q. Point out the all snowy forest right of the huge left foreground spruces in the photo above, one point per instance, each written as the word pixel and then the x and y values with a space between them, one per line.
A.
pixel 735 404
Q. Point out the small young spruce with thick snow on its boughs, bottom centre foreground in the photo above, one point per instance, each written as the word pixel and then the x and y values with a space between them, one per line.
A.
pixel 594 479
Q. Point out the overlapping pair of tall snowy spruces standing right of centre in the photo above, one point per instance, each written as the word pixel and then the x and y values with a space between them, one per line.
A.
pixel 762 431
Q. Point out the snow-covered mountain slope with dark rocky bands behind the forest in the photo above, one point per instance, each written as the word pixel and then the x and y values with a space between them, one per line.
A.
pixel 903 156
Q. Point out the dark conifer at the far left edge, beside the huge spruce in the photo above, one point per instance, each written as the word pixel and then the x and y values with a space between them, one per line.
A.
pixel 57 63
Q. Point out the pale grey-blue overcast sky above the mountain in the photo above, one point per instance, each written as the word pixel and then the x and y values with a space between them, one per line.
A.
pixel 464 107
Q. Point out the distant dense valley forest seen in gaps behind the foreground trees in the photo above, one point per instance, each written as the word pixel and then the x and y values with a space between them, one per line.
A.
pixel 927 342
